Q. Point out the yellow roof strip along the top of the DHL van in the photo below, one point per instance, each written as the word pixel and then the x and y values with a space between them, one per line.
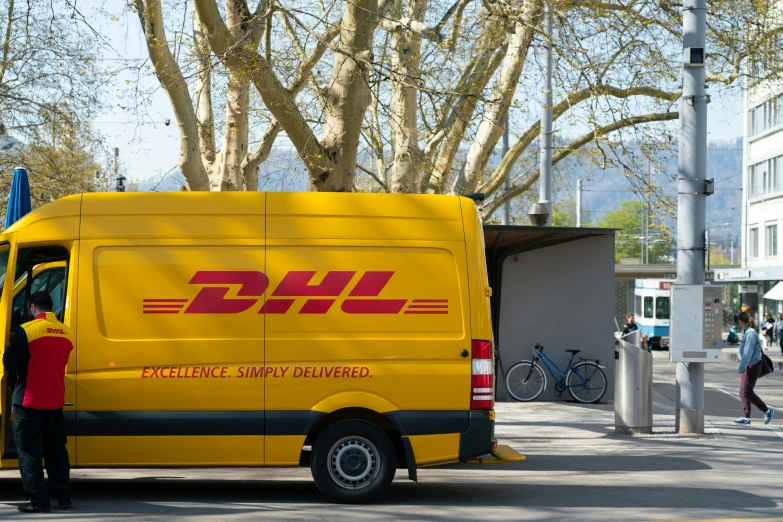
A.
pixel 83 214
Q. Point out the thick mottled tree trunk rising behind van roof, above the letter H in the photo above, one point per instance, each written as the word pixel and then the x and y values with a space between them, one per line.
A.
pixel 348 97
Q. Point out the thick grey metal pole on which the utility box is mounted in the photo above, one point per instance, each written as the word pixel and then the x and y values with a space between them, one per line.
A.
pixel 691 205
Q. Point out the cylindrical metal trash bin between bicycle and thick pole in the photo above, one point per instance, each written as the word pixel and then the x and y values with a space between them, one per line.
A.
pixel 633 386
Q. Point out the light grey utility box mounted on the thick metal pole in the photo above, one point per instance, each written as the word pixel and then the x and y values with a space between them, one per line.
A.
pixel 696 323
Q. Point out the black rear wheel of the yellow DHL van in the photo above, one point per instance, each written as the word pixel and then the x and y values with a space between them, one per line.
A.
pixel 353 462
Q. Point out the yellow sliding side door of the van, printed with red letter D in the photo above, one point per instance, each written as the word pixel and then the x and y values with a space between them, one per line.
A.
pixel 171 349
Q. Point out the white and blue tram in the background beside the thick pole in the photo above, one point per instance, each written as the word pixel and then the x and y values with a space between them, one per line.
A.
pixel 652 308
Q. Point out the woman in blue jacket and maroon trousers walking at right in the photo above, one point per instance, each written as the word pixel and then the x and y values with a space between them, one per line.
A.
pixel 750 370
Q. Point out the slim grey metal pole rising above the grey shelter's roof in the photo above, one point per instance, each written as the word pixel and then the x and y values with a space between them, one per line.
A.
pixel 545 138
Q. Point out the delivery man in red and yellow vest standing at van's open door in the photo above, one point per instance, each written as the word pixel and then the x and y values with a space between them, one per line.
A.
pixel 38 355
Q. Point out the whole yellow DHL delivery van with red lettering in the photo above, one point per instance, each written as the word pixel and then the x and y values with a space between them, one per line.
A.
pixel 345 332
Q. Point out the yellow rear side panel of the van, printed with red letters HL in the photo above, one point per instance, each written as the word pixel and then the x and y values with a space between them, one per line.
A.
pixel 371 300
